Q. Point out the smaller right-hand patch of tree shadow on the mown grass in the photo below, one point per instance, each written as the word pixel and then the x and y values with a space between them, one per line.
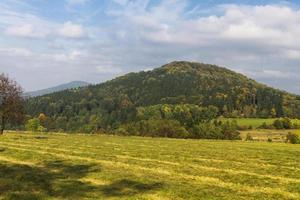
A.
pixel 126 187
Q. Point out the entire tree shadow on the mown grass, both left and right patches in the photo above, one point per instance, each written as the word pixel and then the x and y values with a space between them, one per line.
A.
pixel 62 180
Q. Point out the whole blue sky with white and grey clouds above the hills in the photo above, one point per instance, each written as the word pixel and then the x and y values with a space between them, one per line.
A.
pixel 45 43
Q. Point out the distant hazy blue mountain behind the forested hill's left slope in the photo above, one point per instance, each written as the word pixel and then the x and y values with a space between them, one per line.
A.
pixel 70 85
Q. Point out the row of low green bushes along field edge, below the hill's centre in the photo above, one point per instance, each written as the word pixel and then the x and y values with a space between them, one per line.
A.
pixel 174 129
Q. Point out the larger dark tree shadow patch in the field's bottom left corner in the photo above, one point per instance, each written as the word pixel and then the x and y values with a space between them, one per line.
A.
pixel 57 180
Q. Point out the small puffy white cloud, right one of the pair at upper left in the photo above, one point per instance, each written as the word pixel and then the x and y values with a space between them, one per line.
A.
pixel 71 30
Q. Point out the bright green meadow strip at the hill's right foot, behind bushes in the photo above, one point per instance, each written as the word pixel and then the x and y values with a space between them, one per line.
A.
pixel 256 122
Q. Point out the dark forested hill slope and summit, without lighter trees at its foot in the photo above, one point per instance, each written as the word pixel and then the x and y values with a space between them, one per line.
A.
pixel 178 83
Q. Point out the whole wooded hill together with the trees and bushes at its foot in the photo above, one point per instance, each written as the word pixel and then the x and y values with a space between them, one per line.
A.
pixel 183 95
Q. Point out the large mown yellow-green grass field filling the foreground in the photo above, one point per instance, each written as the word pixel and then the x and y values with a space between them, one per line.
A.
pixel 57 166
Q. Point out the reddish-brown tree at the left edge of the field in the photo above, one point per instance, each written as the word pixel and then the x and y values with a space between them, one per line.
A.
pixel 11 102
